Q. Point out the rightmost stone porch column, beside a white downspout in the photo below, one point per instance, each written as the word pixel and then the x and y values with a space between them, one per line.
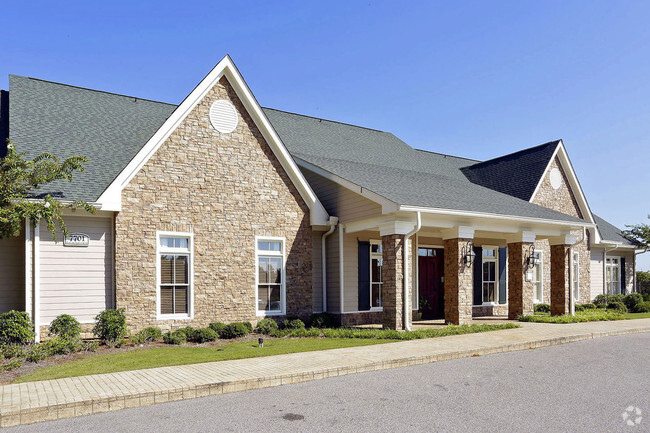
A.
pixel 560 274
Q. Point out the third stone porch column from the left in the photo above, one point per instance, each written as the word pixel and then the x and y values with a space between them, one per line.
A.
pixel 520 289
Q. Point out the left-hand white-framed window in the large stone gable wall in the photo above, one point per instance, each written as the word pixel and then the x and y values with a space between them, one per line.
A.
pixel 175 275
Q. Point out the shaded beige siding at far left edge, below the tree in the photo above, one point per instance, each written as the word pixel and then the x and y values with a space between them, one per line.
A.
pixel 12 273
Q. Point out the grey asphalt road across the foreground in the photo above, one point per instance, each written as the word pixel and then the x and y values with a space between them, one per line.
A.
pixel 584 386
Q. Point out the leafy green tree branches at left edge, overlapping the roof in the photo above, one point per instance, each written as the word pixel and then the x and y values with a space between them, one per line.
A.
pixel 20 179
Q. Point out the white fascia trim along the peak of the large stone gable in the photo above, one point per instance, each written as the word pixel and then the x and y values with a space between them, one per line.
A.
pixel 111 198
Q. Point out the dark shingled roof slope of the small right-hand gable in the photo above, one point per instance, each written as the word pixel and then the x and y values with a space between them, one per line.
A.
pixel 516 174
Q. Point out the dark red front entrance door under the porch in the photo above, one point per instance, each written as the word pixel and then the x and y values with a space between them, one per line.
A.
pixel 431 282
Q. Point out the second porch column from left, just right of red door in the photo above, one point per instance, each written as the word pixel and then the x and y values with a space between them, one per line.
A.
pixel 458 283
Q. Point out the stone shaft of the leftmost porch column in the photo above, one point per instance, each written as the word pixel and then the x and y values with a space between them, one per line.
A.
pixel 393 274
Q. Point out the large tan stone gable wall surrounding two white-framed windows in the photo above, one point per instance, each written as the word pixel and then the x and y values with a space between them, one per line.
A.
pixel 225 189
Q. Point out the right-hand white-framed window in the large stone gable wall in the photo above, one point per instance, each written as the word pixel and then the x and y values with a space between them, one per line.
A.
pixel 270 276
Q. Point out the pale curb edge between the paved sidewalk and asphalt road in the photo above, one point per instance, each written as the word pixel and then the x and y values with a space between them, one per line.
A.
pixel 116 402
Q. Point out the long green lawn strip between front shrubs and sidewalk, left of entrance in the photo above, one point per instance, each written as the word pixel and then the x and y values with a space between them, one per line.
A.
pixel 180 355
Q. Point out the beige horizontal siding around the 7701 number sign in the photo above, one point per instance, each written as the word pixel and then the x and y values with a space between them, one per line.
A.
pixel 77 280
